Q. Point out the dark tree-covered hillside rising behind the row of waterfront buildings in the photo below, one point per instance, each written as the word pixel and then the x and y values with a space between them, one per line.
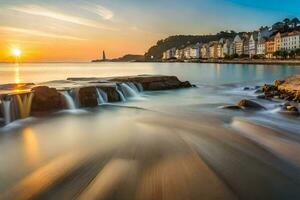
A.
pixel 181 41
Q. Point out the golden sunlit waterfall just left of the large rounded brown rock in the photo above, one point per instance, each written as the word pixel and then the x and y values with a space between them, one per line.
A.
pixel 24 104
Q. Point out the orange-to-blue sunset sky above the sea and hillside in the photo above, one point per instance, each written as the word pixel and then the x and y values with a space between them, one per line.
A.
pixel 79 30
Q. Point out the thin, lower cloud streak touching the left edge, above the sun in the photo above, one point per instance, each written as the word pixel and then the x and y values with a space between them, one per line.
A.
pixel 38 33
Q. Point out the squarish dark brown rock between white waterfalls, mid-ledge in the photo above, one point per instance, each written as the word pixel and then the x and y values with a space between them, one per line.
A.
pixel 87 97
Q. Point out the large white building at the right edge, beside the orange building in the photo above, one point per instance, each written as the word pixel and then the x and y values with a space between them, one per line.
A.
pixel 290 41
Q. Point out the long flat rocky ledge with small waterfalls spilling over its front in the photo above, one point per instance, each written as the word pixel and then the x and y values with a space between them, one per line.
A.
pixel 29 99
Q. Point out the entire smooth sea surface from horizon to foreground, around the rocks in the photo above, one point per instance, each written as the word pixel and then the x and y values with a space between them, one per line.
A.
pixel 176 144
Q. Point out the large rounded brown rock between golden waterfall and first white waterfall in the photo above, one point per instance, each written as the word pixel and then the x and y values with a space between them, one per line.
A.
pixel 46 100
